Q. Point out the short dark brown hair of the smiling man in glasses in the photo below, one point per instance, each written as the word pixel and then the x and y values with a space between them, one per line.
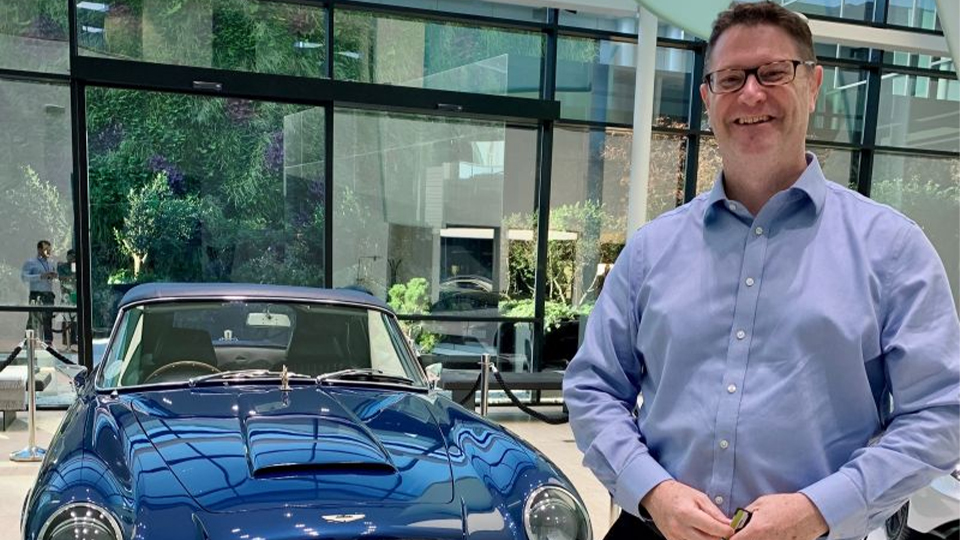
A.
pixel 764 13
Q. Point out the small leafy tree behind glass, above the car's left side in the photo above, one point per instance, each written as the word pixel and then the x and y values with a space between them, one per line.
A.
pixel 156 221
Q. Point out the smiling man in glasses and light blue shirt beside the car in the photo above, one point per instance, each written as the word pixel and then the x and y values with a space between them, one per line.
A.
pixel 796 344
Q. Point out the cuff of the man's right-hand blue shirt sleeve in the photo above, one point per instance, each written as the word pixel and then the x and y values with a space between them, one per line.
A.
pixel 841 504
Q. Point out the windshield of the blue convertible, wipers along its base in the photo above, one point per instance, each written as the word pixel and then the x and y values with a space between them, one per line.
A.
pixel 173 342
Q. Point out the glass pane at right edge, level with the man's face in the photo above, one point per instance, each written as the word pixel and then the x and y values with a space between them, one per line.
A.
pixel 919 112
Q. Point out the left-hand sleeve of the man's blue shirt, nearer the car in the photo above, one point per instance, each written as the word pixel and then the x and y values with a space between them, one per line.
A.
pixel 601 386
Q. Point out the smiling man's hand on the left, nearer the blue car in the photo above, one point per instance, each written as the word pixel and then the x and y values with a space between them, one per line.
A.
pixel 683 513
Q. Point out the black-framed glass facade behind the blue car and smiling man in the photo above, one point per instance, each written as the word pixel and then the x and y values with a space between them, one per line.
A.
pixel 428 207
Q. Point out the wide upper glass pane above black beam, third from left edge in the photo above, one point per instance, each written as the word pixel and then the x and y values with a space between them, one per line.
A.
pixel 401 51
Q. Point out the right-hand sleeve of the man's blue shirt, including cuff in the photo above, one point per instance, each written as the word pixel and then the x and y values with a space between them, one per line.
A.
pixel 920 343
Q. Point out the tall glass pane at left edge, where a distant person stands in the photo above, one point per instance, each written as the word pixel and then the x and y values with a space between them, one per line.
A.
pixel 36 194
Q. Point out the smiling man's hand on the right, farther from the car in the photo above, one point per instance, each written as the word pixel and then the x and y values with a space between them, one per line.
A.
pixel 786 516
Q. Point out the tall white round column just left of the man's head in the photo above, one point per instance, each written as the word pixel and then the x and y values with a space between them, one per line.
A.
pixel 642 121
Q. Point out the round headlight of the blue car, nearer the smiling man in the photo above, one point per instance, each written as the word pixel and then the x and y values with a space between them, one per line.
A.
pixel 553 513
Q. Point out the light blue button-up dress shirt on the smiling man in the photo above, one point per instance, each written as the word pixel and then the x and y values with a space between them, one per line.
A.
pixel 767 350
